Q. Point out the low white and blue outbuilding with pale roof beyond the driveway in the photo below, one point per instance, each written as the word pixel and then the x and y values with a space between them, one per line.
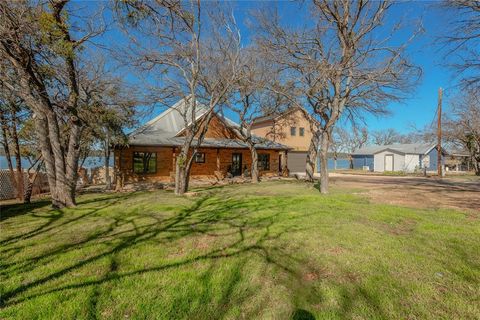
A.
pixel 397 157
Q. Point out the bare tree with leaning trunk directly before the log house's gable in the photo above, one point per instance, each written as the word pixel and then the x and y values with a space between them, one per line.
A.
pixel 192 49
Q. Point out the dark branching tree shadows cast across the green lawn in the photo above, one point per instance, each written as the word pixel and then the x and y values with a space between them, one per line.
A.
pixel 242 233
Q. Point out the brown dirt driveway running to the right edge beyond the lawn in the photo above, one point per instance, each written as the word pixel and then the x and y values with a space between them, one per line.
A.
pixel 415 191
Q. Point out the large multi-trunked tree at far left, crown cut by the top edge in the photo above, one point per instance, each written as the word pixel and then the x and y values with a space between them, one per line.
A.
pixel 41 56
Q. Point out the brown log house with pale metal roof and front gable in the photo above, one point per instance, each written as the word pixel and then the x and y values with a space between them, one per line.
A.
pixel 151 151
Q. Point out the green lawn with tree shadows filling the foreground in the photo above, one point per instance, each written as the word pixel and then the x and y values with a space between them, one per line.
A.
pixel 278 250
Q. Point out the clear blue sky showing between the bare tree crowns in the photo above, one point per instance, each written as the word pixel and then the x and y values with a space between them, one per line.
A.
pixel 419 108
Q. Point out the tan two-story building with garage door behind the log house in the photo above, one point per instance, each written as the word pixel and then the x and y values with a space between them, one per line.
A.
pixel 291 128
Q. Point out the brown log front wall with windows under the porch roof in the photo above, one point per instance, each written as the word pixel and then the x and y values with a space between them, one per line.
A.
pixel 157 163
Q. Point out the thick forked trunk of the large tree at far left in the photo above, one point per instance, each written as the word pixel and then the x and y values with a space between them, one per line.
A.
pixel 61 162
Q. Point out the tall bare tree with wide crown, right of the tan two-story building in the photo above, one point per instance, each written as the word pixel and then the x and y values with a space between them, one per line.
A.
pixel 345 63
